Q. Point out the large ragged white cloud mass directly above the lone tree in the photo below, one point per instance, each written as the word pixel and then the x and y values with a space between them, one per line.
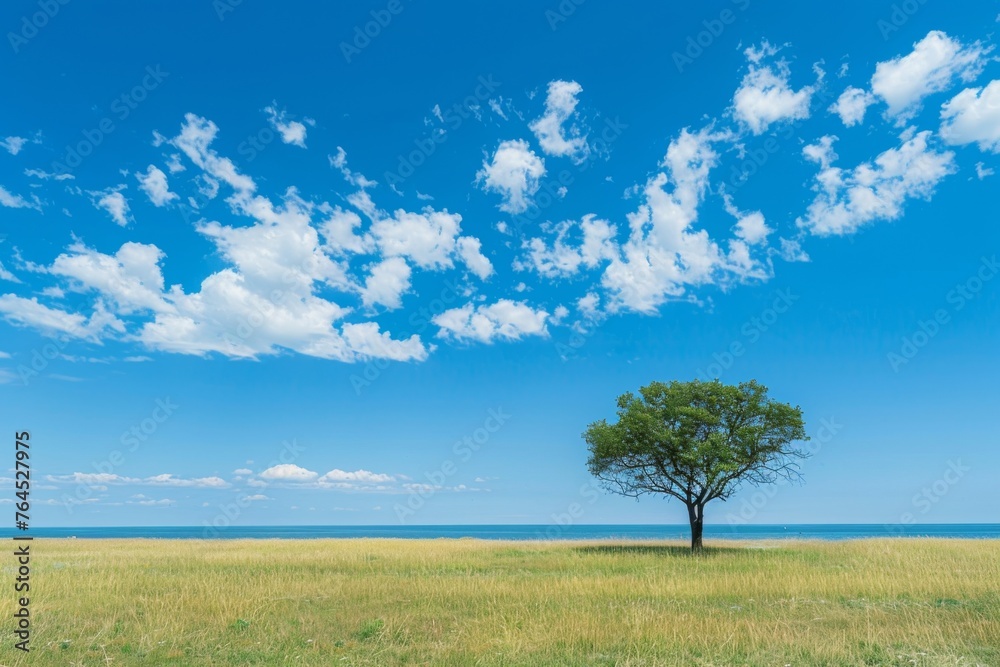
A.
pixel 664 252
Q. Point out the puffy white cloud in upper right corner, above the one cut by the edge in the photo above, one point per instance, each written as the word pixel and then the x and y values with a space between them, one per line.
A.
pixel 931 67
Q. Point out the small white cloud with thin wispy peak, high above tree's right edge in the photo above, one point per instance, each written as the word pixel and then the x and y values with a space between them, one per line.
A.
pixel 765 96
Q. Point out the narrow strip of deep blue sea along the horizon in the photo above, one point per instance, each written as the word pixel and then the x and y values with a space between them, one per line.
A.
pixel 531 532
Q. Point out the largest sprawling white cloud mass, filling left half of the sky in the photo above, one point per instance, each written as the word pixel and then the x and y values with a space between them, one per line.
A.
pixel 267 299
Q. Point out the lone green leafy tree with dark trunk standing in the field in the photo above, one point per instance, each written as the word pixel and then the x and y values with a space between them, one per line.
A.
pixel 696 441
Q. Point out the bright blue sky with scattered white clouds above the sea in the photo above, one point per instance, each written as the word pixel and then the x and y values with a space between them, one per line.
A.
pixel 261 267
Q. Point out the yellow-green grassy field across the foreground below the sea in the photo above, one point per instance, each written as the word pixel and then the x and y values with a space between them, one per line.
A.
pixel 467 602
